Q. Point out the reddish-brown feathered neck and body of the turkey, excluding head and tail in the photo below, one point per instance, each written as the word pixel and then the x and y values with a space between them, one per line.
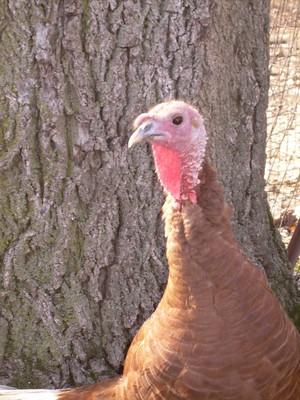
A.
pixel 218 332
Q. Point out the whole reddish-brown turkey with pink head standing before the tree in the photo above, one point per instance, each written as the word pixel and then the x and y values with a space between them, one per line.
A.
pixel 218 333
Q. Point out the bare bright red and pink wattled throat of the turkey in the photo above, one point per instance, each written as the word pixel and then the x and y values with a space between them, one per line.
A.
pixel 178 171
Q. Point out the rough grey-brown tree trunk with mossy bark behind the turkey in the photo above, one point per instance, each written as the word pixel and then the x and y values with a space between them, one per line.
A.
pixel 82 245
